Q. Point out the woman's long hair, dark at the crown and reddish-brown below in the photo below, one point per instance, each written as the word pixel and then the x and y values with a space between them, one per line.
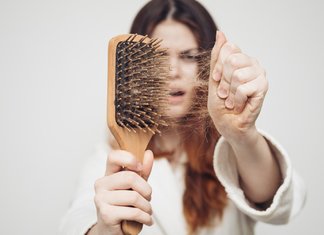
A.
pixel 204 198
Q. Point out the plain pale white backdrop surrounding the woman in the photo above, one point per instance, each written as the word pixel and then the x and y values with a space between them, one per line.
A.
pixel 53 68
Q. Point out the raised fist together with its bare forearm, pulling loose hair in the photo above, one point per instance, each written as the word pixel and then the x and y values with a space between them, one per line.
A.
pixel 237 87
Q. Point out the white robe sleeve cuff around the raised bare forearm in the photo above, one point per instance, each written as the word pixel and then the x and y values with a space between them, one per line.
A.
pixel 287 201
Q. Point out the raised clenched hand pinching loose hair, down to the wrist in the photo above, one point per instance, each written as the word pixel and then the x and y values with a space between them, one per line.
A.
pixel 237 87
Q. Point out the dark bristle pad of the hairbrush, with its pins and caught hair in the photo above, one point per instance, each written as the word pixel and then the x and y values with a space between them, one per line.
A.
pixel 141 84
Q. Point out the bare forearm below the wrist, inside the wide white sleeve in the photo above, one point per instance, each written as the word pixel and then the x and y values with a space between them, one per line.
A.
pixel 258 169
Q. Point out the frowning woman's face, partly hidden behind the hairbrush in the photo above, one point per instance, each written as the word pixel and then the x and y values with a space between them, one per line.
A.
pixel 182 46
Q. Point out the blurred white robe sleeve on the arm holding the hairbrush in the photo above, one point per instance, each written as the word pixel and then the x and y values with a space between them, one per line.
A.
pixel 82 215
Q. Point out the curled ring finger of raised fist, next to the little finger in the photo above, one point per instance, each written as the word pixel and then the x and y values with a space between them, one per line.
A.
pixel 239 77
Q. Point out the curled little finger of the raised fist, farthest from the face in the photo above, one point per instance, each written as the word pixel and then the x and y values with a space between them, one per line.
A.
pixel 255 90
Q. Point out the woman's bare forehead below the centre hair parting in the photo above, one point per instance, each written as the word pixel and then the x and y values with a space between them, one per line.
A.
pixel 175 35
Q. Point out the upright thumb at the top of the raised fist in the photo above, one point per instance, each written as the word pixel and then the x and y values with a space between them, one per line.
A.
pixel 215 64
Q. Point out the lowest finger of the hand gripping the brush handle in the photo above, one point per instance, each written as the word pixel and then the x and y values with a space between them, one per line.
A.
pixel 113 215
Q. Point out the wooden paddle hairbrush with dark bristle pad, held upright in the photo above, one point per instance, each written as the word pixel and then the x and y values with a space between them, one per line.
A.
pixel 137 95
